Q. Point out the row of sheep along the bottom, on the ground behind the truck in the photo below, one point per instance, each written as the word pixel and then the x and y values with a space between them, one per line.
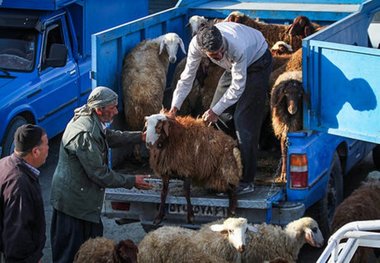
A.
pixel 229 240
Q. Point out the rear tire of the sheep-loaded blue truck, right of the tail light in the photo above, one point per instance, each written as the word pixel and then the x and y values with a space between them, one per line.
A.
pixel 323 211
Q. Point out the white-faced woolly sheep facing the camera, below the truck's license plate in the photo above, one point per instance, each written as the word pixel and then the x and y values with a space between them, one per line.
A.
pixel 214 242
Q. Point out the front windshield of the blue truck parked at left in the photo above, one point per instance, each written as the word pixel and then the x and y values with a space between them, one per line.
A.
pixel 17 49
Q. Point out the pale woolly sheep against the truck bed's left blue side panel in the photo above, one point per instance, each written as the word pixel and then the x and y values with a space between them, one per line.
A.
pixel 144 77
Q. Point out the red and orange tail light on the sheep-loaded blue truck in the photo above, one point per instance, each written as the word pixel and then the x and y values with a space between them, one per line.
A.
pixel 298 171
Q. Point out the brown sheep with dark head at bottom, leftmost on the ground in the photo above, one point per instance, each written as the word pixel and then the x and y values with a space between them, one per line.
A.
pixel 103 250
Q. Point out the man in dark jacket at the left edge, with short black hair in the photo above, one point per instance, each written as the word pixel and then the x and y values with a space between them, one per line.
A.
pixel 22 218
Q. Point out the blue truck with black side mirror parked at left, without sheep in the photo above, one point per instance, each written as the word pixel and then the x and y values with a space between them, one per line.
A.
pixel 45 59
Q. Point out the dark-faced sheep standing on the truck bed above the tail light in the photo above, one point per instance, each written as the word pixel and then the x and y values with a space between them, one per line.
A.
pixel 287 112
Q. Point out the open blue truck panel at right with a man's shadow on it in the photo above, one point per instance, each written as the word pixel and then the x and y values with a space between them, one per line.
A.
pixel 340 75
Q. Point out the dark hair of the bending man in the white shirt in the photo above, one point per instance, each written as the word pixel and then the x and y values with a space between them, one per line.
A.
pixel 209 38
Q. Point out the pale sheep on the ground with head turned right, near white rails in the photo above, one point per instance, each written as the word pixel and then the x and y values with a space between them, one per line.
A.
pixel 270 241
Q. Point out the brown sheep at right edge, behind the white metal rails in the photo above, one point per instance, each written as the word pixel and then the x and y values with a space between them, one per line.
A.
pixel 362 204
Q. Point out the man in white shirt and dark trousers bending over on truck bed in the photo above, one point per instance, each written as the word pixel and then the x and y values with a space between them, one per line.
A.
pixel 243 89
